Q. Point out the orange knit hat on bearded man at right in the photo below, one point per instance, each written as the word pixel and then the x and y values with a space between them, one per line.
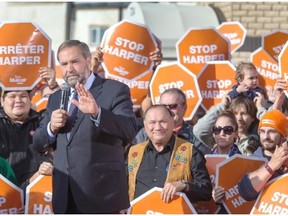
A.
pixel 276 120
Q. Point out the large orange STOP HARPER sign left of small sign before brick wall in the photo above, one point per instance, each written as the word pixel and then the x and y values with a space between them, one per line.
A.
pixel 199 46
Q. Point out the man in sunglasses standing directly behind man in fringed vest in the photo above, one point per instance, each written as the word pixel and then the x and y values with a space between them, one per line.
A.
pixel 175 100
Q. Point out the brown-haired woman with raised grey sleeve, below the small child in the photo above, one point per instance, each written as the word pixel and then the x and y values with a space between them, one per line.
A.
pixel 244 111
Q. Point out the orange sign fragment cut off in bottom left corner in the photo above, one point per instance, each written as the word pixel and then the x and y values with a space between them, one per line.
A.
pixel 11 197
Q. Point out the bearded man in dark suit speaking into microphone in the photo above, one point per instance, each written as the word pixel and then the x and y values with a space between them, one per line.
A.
pixel 89 169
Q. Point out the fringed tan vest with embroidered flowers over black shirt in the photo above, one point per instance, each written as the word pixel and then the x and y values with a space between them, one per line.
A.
pixel 179 166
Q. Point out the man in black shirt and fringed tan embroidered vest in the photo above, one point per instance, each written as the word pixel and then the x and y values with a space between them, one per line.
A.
pixel 166 161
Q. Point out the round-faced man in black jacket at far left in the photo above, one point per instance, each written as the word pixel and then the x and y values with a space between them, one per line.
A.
pixel 18 121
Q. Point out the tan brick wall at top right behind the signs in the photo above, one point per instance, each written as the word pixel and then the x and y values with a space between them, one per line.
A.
pixel 257 17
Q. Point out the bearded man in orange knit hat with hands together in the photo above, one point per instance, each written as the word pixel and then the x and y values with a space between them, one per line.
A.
pixel 273 131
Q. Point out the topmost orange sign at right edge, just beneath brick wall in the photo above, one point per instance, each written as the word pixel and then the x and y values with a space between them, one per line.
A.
pixel 273 43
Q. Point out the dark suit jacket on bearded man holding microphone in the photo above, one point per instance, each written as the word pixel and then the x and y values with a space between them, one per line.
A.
pixel 92 160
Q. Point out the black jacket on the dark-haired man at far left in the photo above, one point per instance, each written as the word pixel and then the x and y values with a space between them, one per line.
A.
pixel 16 146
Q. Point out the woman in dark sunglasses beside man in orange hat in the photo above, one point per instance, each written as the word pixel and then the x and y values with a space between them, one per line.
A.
pixel 225 133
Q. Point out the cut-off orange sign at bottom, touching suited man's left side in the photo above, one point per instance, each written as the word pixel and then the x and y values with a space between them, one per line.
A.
pixel 39 196
